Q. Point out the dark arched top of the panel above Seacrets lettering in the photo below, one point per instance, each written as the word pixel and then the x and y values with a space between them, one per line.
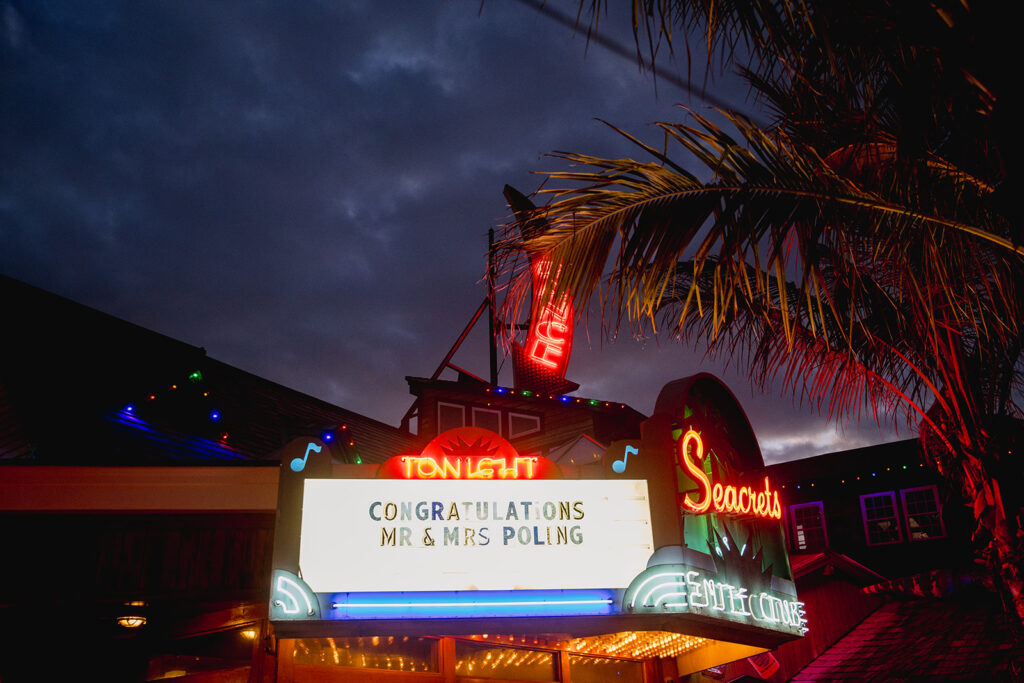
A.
pixel 679 397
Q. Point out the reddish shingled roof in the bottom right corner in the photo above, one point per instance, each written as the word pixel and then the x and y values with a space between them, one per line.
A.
pixel 964 639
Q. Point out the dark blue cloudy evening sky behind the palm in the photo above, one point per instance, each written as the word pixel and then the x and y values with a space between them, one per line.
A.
pixel 305 189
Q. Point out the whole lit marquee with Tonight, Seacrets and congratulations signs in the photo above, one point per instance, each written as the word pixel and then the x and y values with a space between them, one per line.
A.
pixel 470 531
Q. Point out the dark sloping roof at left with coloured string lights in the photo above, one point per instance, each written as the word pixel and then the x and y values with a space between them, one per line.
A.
pixel 81 388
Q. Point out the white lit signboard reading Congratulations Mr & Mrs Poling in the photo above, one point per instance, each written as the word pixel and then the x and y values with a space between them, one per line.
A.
pixel 447 536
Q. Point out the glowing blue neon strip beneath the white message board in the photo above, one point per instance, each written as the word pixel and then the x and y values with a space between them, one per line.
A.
pixel 472 605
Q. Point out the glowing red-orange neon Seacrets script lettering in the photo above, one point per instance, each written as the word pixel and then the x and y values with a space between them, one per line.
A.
pixel 727 499
